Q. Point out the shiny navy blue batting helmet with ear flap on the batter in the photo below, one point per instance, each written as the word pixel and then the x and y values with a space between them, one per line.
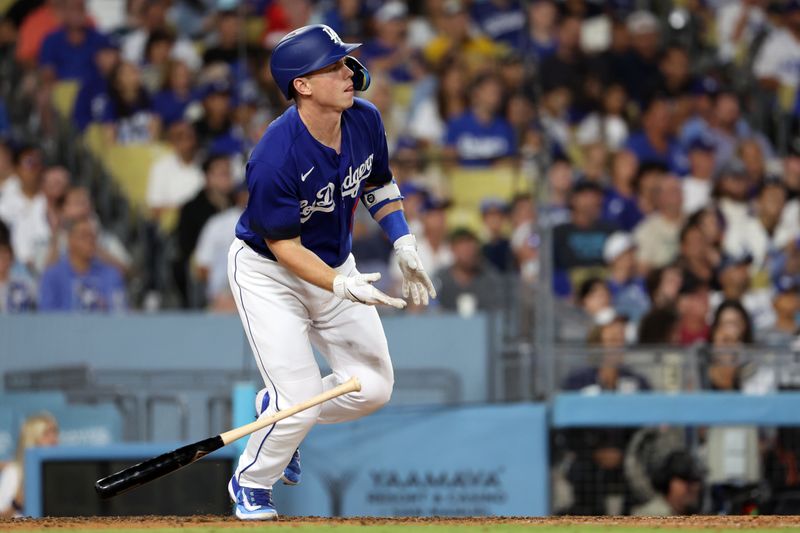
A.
pixel 311 48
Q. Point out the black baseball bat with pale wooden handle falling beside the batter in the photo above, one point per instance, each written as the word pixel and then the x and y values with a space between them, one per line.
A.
pixel 166 463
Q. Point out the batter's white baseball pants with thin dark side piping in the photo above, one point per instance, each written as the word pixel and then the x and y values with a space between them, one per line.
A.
pixel 282 316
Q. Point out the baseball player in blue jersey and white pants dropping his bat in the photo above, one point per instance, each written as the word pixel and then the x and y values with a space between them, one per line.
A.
pixel 290 269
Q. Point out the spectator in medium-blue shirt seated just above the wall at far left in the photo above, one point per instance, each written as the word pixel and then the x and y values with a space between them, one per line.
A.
pixel 80 281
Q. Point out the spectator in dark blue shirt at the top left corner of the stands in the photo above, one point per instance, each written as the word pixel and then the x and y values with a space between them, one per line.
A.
pixel 68 53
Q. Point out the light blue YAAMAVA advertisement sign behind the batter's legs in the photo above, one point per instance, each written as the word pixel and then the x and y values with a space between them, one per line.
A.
pixel 466 461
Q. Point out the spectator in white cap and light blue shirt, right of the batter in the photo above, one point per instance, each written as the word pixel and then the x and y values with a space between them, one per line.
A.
pixel 628 293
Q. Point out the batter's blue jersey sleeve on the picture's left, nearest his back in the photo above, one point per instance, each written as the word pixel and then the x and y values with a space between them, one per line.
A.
pixel 274 204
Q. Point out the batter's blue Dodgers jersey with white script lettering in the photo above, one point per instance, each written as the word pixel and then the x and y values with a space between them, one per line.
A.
pixel 300 187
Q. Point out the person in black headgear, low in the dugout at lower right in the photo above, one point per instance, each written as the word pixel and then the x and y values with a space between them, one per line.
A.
pixel 678 482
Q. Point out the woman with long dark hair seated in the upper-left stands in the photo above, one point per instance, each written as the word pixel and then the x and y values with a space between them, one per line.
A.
pixel 129 118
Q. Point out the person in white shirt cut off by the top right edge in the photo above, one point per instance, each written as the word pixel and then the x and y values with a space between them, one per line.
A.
pixel 778 60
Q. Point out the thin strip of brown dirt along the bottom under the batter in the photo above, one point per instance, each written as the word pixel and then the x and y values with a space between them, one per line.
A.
pixel 695 522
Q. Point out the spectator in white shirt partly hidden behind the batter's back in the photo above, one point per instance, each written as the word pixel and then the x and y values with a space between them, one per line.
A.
pixel 211 253
